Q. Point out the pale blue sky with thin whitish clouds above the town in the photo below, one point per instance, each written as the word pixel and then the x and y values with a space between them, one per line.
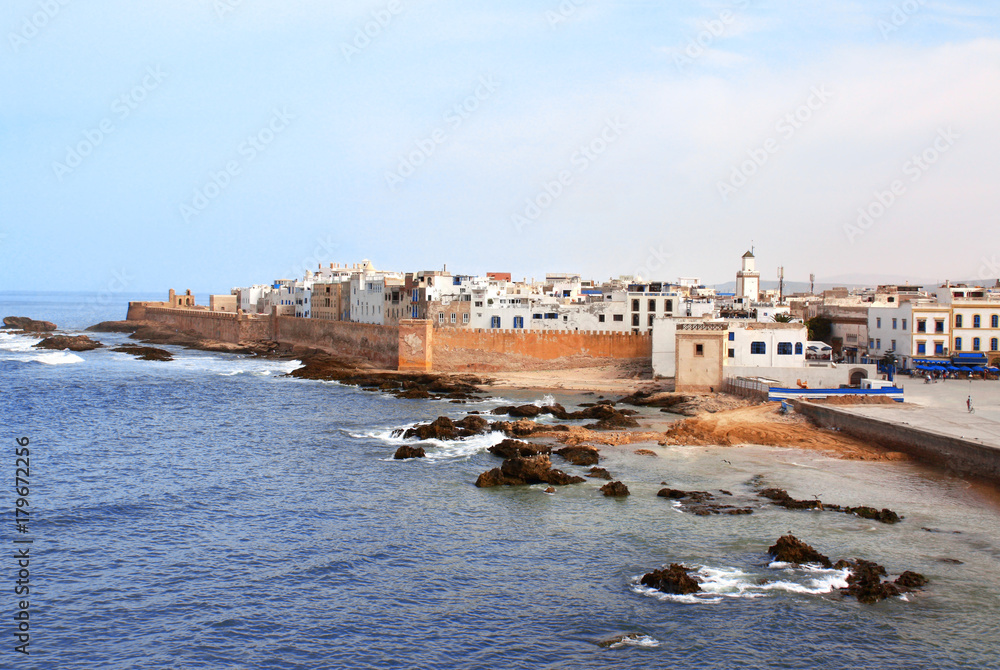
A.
pixel 208 144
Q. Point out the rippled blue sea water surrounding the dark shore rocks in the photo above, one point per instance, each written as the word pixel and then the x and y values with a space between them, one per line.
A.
pixel 211 512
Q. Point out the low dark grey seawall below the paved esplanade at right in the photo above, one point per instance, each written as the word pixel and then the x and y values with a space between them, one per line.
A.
pixel 952 453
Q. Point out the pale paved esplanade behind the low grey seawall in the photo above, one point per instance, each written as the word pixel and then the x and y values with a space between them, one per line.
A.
pixel 941 408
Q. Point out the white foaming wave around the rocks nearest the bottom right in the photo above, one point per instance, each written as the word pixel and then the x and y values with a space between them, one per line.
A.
pixel 729 582
